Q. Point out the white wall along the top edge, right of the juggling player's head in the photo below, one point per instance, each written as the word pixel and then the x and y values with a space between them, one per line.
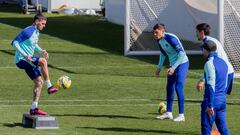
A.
pixel 80 4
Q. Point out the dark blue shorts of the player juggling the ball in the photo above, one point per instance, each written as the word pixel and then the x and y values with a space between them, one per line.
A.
pixel 31 68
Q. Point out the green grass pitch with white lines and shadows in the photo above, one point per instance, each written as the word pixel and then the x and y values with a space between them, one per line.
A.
pixel 110 95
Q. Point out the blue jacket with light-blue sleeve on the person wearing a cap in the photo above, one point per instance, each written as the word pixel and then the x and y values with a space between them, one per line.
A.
pixel 215 73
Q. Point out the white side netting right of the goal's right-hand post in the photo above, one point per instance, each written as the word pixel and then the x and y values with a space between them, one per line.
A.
pixel 232 32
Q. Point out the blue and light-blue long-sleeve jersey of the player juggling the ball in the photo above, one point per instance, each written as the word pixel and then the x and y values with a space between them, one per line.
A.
pixel 26 43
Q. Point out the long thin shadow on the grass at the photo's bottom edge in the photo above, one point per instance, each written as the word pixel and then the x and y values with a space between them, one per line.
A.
pixel 136 130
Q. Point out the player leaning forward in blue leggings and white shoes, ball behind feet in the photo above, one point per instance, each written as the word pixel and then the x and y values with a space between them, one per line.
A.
pixel 171 47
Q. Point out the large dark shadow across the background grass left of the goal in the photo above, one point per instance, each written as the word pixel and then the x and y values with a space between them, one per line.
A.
pixel 89 31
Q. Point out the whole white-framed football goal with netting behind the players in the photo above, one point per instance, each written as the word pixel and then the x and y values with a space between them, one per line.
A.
pixel 180 18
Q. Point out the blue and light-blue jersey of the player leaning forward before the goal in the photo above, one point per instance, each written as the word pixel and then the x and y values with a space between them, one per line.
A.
pixel 171 46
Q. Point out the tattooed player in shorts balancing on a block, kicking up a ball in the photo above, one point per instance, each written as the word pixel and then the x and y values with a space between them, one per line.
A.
pixel 26 43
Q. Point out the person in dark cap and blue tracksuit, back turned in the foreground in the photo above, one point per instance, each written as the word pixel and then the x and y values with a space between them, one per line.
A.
pixel 213 108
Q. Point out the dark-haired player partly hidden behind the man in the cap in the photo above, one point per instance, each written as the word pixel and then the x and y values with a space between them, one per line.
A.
pixel 203 31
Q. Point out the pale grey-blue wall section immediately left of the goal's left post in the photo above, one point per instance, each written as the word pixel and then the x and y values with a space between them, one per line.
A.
pixel 115 11
